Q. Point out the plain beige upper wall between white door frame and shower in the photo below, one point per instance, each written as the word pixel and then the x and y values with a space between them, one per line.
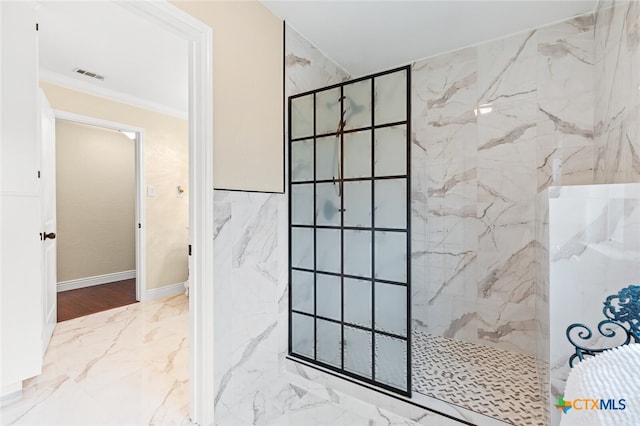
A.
pixel 247 93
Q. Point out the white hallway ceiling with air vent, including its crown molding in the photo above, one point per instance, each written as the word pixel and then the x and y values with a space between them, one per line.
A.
pixel 142 63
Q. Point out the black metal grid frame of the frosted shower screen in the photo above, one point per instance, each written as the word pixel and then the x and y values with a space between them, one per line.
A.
pixel 407 231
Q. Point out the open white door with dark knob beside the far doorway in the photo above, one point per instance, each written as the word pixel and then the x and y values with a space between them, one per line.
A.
pixel 48 197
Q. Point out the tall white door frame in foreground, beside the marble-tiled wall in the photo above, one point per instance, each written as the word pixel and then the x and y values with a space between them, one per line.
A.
pixel 199 39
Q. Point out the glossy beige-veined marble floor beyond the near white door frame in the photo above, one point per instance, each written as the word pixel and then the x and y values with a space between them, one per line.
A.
pixel 128 365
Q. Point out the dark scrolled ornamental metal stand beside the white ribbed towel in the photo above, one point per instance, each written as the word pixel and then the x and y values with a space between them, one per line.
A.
pixel 622 312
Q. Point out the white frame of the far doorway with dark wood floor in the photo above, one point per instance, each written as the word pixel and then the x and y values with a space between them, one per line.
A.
pixel 141 246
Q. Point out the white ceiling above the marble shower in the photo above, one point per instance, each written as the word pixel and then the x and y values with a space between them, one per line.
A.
pixel 366 36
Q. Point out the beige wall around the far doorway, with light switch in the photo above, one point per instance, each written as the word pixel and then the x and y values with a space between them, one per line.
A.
pixel 166 159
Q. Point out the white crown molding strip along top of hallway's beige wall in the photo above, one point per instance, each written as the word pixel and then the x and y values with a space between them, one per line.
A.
pixel 113 95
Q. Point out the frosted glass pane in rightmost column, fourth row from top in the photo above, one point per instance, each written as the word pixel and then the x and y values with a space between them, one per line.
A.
pixel 391 256
